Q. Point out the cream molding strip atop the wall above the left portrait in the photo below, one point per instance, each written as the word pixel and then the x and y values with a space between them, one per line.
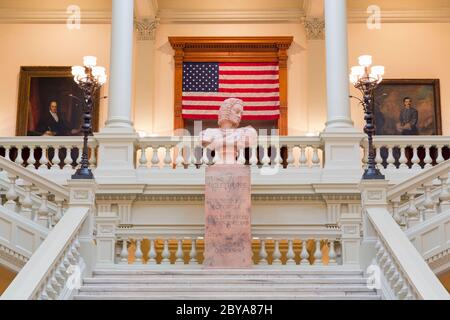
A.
pixel 53 17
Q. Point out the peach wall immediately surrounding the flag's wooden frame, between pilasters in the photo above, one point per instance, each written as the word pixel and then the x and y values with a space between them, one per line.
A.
pixel 164 68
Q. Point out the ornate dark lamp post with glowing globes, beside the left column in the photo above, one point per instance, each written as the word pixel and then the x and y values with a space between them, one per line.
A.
pixel 89 79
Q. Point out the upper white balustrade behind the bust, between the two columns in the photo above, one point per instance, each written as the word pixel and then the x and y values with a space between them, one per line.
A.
pixel 186 152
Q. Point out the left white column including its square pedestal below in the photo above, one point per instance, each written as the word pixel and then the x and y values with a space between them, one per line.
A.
pixel 116 152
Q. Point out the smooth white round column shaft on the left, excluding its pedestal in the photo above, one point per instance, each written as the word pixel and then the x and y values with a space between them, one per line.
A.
pixel 121 68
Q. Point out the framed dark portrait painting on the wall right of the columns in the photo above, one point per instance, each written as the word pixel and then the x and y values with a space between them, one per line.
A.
pixel 408 107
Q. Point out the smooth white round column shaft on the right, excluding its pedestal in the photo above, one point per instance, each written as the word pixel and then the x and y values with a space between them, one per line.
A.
pixel 337 65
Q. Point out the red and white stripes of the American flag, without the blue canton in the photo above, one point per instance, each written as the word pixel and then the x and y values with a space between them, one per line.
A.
pixel 257 84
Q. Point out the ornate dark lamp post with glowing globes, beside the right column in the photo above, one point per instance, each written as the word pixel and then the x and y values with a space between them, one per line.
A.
pixel 366 78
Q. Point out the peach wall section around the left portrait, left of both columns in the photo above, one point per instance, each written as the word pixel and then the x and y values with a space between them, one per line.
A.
pixel 44 45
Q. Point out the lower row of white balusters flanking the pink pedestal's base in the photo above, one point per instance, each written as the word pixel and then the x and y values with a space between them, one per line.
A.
pixel 188 251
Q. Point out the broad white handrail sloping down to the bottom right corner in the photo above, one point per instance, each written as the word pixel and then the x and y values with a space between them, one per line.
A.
pixel 417 273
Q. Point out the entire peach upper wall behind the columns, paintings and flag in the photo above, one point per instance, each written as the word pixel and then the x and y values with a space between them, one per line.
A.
pixel 407 51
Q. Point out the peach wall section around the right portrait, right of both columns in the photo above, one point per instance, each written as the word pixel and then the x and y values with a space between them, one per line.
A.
pixel 409 51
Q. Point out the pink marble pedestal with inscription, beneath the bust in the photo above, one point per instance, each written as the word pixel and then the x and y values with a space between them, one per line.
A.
pixel 228 240
